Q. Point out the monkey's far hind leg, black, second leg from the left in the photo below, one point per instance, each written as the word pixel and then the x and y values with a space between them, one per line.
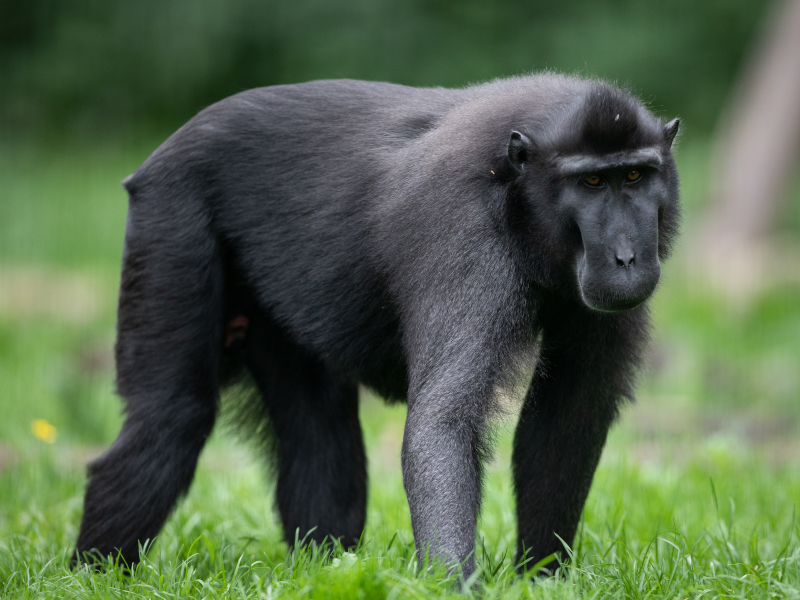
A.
pixel 321 463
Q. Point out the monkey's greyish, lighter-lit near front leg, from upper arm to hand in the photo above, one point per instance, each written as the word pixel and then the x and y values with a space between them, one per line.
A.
pixel 461 342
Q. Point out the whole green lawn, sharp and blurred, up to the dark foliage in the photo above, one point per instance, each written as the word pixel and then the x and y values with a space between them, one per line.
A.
pixel 695 497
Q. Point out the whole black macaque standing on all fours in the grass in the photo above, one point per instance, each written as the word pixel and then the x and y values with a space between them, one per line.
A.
pixel 424 242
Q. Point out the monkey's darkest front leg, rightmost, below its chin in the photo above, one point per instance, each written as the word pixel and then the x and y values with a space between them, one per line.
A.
pixel 571 403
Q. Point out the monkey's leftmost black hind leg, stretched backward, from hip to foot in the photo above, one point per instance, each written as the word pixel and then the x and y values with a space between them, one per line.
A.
pixel 168 340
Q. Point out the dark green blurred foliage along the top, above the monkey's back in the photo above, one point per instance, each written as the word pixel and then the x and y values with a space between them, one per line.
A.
pixel 86 64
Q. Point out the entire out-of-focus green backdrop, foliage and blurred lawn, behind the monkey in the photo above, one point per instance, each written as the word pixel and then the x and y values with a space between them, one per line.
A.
pixel 88 88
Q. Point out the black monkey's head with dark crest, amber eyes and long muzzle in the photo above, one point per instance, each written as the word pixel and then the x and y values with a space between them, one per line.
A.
pixel 600 190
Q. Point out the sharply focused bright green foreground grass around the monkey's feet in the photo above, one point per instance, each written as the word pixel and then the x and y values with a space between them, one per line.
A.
pixel 717 526
